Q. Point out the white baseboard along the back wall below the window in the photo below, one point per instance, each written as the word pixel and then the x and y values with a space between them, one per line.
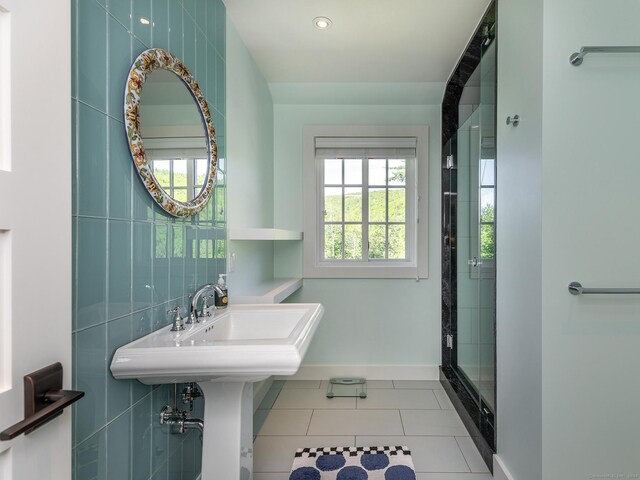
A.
pixel 370 372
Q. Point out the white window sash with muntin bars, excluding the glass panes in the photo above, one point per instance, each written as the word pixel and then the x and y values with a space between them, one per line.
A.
pixel 410 187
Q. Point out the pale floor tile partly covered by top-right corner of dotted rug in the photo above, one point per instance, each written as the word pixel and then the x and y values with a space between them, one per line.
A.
pixel 429 454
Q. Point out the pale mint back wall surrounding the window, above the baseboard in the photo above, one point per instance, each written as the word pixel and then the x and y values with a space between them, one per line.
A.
pixel 367 322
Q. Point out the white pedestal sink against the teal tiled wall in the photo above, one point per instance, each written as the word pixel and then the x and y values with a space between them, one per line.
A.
pixel 225 354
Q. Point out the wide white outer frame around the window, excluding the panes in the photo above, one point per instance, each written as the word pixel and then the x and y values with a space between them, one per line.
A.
pixel 417 263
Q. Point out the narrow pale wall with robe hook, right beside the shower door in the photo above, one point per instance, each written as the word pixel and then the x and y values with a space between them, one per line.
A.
pixel 519 240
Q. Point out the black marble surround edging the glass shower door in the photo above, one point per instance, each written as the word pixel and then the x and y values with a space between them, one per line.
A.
pixel 481 430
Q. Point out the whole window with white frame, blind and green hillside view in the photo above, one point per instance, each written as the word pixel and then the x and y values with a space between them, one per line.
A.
pixel 364 199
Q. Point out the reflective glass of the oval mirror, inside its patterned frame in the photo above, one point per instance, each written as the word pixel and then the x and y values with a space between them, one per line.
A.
pixel 174 135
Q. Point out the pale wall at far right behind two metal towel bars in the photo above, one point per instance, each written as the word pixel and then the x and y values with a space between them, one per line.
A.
pixel 591 233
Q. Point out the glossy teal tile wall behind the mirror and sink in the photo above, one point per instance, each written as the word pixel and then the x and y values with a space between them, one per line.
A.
pixel 132 262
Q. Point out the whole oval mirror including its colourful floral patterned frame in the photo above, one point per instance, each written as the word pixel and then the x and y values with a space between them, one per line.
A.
pixel 171 135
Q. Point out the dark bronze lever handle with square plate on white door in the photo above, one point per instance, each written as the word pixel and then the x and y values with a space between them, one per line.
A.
pixel 44 400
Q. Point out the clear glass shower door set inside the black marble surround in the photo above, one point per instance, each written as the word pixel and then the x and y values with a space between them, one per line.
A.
pixel 475 239
